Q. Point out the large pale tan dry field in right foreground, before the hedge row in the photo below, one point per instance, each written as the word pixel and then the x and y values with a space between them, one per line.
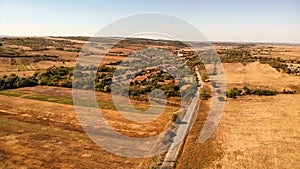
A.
pixel 262 132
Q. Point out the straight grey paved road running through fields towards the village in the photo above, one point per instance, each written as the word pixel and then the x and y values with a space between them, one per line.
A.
pixel 189 118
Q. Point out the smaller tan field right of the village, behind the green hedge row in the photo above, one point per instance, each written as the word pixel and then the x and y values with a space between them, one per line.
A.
pixel 259 75
